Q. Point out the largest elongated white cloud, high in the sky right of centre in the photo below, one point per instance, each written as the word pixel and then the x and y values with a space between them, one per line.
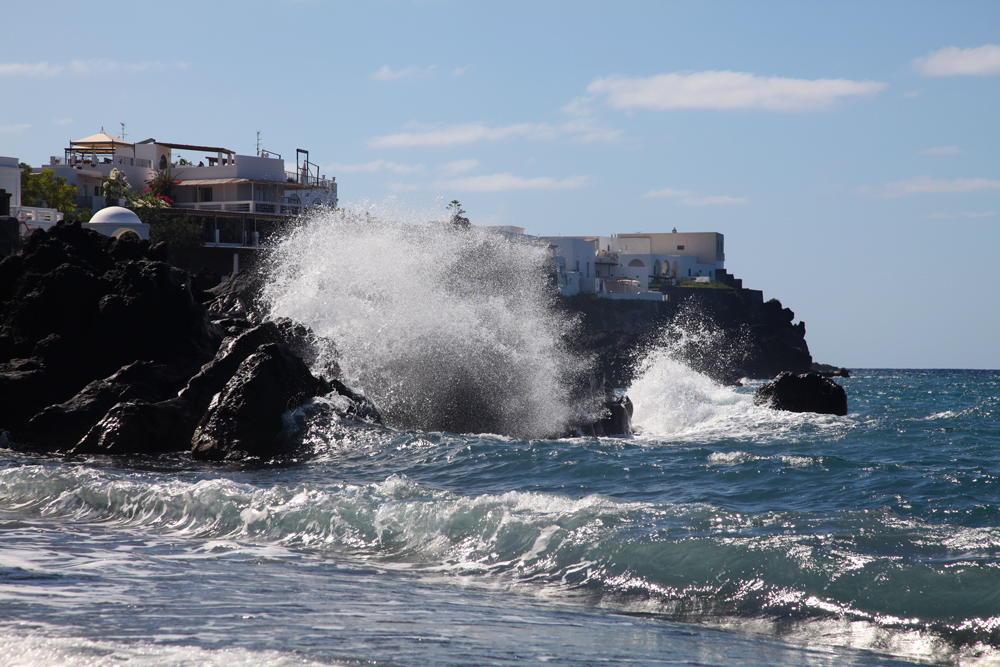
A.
pixel 727 90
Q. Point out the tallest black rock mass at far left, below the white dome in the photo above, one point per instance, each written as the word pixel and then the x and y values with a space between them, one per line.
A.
pixel 76 306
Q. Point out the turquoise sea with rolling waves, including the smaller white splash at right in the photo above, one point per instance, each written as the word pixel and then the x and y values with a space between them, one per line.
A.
pixel 722 534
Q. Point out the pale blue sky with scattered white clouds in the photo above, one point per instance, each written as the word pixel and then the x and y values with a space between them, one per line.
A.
pixel 848 151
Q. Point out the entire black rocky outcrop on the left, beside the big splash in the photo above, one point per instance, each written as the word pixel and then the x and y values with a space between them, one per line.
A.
pixel 104 348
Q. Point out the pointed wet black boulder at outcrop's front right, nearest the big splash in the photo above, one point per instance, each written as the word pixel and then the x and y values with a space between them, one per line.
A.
pixel 245 420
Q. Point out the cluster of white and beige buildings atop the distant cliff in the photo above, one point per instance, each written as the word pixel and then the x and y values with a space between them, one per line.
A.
pixel 635 265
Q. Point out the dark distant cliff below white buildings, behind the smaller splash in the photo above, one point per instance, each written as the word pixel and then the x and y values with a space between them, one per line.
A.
pixel 725 333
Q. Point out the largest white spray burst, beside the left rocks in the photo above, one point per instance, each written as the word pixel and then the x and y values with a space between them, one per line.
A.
pixel 444 329
